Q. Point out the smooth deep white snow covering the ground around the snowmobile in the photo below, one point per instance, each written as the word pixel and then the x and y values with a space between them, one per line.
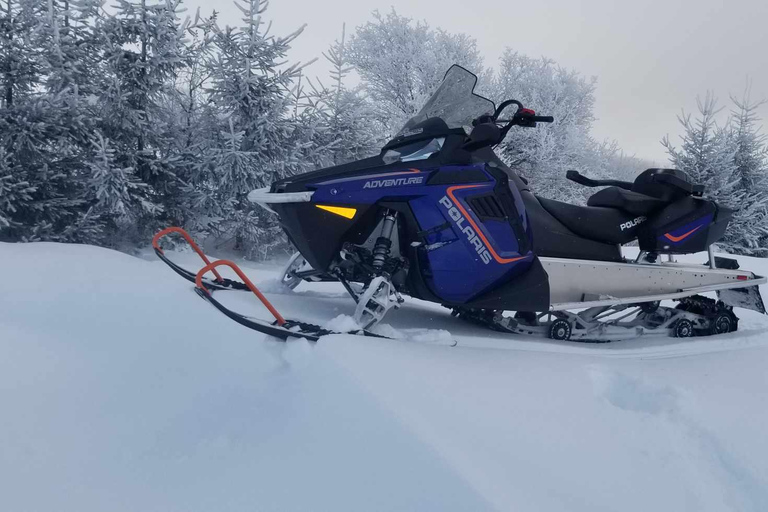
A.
pixel 120 390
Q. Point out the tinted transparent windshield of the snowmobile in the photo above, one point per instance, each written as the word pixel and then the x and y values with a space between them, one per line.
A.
pixel 454 102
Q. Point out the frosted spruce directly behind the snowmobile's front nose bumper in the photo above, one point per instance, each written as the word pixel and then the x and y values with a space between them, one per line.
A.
pixel 253 142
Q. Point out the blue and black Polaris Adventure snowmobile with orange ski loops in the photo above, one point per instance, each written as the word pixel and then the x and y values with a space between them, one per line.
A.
pixel 439 217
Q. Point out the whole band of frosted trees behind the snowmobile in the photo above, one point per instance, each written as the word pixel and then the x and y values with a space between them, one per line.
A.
pixel 117 120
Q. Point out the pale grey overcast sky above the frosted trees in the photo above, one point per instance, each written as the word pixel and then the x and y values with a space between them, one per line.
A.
pixel 651 57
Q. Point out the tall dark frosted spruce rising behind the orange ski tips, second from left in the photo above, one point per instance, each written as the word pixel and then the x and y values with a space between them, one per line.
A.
pixel 143 45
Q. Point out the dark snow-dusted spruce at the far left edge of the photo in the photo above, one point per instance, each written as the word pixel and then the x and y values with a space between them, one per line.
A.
pixel 41 130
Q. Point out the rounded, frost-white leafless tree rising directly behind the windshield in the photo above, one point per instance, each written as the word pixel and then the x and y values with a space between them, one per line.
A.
pixel 401 63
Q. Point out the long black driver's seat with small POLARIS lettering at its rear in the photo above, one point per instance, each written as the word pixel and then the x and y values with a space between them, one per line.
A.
pixel 598 223
